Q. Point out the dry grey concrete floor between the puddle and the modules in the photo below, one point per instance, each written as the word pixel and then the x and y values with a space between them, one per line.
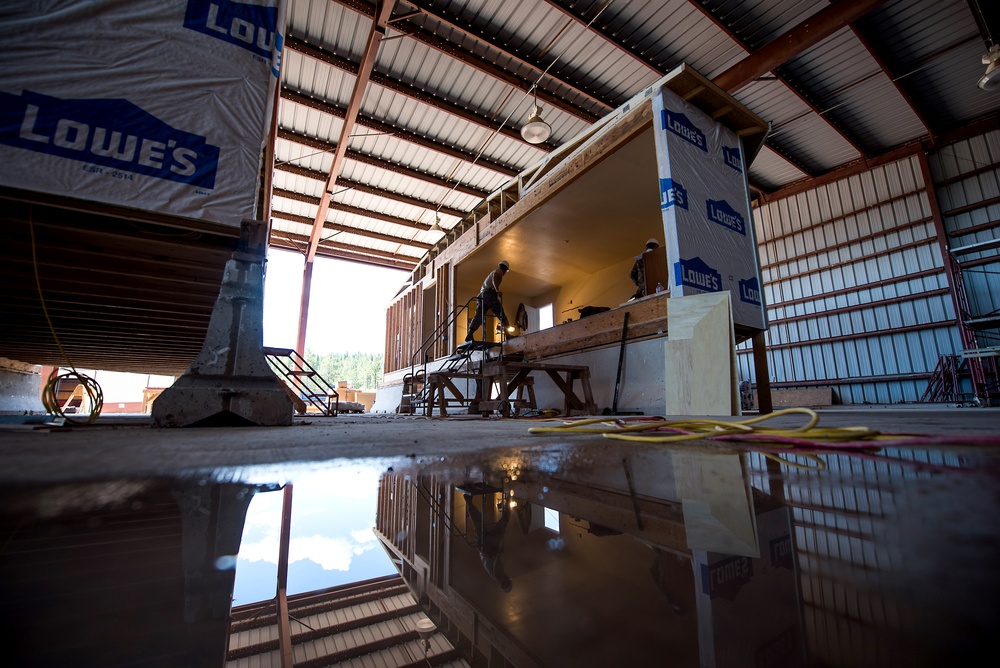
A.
pixel 129 447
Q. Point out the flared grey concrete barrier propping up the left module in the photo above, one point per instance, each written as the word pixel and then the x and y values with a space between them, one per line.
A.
pixel 230 382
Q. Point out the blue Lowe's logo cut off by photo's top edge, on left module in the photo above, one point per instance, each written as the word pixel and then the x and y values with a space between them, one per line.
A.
pixel 248 25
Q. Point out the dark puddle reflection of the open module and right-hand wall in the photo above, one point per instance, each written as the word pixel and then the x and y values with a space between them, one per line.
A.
pixel 670 557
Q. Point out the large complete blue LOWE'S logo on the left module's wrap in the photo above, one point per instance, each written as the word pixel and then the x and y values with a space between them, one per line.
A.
pixel 114 133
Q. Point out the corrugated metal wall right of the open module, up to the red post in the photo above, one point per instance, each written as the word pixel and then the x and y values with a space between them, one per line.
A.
pixel 855 287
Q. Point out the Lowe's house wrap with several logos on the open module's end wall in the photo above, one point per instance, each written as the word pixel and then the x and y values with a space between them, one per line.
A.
pixel 707 222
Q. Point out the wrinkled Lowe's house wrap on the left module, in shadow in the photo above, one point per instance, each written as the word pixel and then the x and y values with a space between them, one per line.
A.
pixel 157 105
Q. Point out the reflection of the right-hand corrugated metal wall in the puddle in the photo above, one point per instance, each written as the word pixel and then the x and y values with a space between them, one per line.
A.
pixel 848 541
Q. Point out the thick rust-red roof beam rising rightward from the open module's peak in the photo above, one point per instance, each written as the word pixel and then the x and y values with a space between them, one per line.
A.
pixel 801 37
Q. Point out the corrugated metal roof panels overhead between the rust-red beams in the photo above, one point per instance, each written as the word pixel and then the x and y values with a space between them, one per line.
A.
pixel 452 71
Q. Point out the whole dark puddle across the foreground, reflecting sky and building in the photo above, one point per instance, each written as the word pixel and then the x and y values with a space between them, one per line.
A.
pixel 626 556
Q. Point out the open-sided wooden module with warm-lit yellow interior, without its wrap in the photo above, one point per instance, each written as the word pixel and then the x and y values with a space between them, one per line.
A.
pixel 570 227
